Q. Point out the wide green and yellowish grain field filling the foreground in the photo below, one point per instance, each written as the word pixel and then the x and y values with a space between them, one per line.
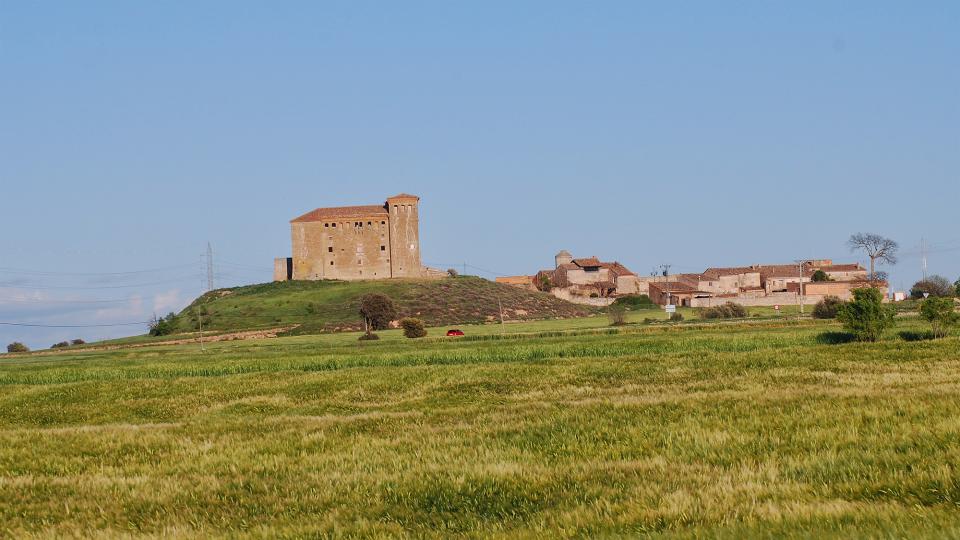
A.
pixel 553 429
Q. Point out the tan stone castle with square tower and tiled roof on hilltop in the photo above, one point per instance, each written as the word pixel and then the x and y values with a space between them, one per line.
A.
pixel 355 242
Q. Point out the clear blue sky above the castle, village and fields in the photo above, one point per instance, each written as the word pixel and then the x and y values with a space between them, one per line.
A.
pixel 697 133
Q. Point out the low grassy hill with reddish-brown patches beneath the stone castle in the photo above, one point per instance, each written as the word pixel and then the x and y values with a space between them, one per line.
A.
pixel 327 306
